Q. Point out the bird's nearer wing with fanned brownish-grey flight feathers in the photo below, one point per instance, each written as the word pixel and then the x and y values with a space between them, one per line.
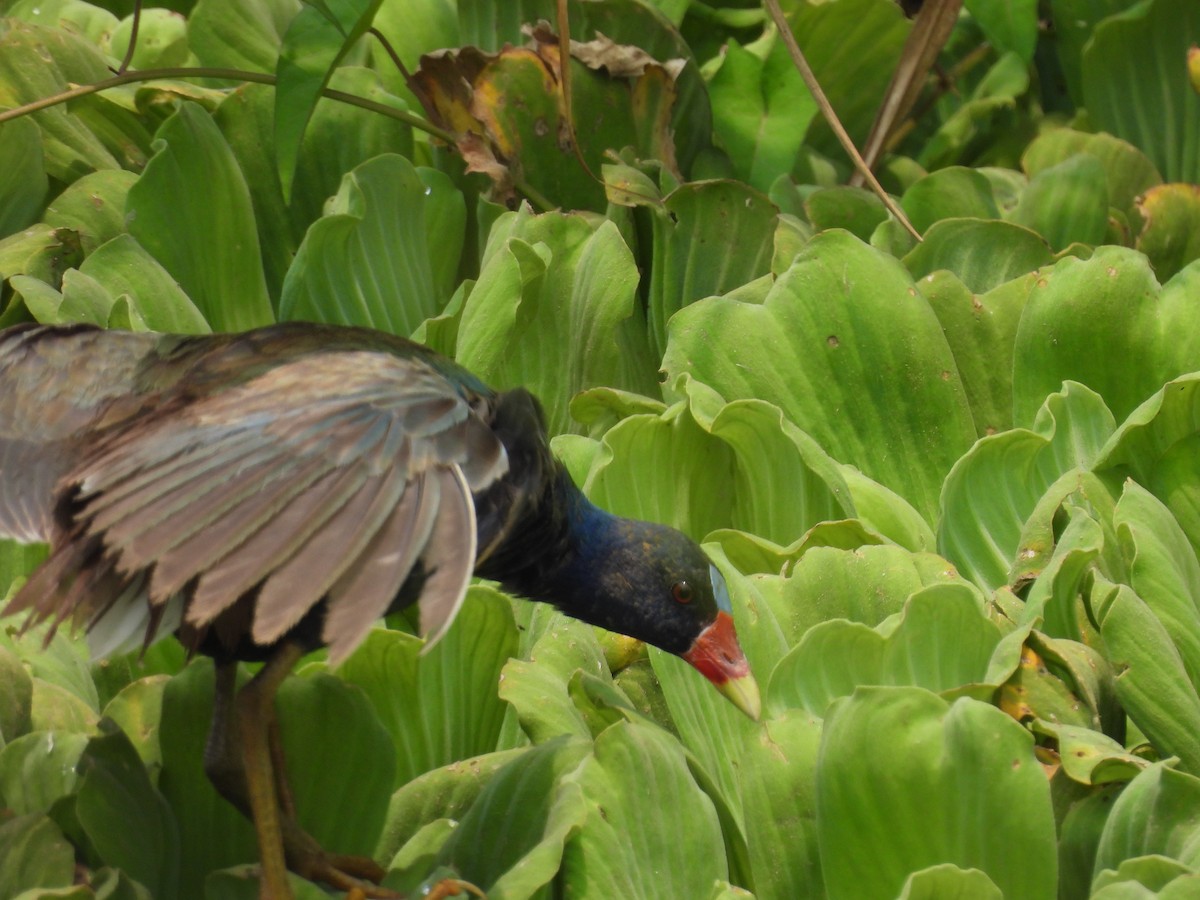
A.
pixel 329 477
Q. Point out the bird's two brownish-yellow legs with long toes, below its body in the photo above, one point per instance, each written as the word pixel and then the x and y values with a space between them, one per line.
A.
pixel 243 760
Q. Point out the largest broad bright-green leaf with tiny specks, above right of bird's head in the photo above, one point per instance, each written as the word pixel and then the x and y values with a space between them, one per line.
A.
pixel 823 347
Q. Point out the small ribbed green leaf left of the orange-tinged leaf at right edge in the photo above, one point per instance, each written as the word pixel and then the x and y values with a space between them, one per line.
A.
pixel 1067 203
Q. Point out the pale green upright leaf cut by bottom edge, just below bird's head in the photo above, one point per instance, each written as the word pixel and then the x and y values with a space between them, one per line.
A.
pixel 650 831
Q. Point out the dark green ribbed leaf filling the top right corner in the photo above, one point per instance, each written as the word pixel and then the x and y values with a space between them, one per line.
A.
pixel 1136 85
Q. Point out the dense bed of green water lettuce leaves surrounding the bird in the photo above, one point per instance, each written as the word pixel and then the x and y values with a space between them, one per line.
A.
pixel 952 483
